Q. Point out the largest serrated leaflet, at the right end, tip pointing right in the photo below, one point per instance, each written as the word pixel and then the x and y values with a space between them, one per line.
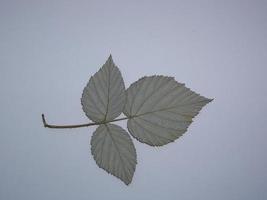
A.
pixel 160 109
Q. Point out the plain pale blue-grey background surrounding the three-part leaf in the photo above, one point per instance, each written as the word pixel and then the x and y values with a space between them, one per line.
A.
pixel 50 48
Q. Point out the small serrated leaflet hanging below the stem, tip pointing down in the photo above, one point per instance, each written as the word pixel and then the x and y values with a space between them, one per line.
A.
pixel 114 151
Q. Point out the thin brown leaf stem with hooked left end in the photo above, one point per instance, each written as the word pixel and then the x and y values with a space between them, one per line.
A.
pixel 46 125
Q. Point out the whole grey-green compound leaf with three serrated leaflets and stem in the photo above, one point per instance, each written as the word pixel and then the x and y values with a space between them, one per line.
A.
pixel 158 109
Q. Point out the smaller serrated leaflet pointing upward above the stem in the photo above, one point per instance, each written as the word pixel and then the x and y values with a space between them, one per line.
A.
pixel 103 98
